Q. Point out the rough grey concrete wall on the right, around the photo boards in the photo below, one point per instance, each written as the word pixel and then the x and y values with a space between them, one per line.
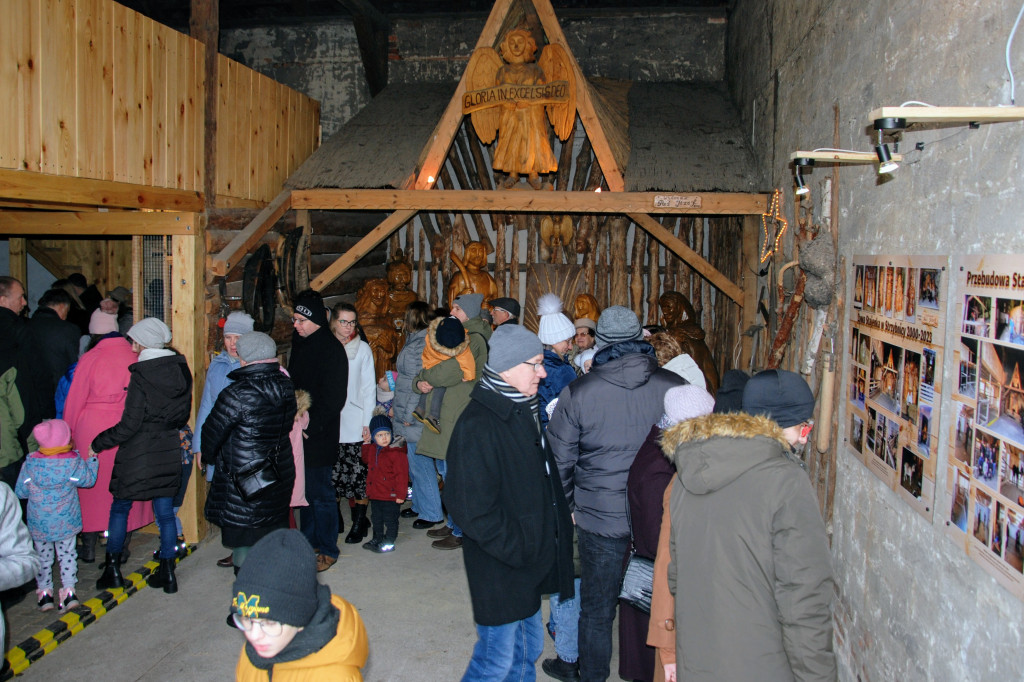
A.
pixel 911 607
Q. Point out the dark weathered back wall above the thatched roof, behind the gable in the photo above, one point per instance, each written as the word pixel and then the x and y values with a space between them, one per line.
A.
pixel 324 61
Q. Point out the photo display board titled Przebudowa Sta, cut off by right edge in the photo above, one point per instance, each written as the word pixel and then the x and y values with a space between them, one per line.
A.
pixel 986 479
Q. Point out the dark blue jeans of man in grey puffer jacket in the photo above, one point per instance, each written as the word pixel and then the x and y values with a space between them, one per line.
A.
pixel 602 562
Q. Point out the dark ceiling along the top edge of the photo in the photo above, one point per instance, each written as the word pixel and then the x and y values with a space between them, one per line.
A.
pixel 239 14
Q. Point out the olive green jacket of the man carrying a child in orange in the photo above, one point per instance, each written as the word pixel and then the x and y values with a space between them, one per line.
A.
pixel 449 374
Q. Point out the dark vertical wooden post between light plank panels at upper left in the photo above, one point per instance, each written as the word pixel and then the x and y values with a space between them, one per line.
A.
pixel 204 26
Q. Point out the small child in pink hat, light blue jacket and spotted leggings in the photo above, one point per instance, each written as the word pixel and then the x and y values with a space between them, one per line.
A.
pixel 50 481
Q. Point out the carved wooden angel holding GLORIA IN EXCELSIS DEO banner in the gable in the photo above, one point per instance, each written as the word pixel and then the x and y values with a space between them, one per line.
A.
pixel 510 96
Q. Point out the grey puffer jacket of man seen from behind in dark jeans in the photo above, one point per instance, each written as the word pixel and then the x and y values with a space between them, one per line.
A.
pixel 600 424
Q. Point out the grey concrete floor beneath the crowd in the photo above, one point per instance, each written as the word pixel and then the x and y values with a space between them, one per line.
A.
pixel 415 605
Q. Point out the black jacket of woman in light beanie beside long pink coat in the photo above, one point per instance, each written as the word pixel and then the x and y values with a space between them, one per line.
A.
pixel 157 408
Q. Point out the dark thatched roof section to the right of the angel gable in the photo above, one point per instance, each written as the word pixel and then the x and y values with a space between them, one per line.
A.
pixel 687 138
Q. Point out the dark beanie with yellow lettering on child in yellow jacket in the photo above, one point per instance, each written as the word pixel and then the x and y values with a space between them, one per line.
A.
pixel 278 581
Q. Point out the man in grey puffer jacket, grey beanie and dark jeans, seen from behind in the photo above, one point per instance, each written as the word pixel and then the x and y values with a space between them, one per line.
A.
pixel 594 440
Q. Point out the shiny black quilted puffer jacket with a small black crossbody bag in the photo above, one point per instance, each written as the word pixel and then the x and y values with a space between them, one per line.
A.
pixel 250 422
